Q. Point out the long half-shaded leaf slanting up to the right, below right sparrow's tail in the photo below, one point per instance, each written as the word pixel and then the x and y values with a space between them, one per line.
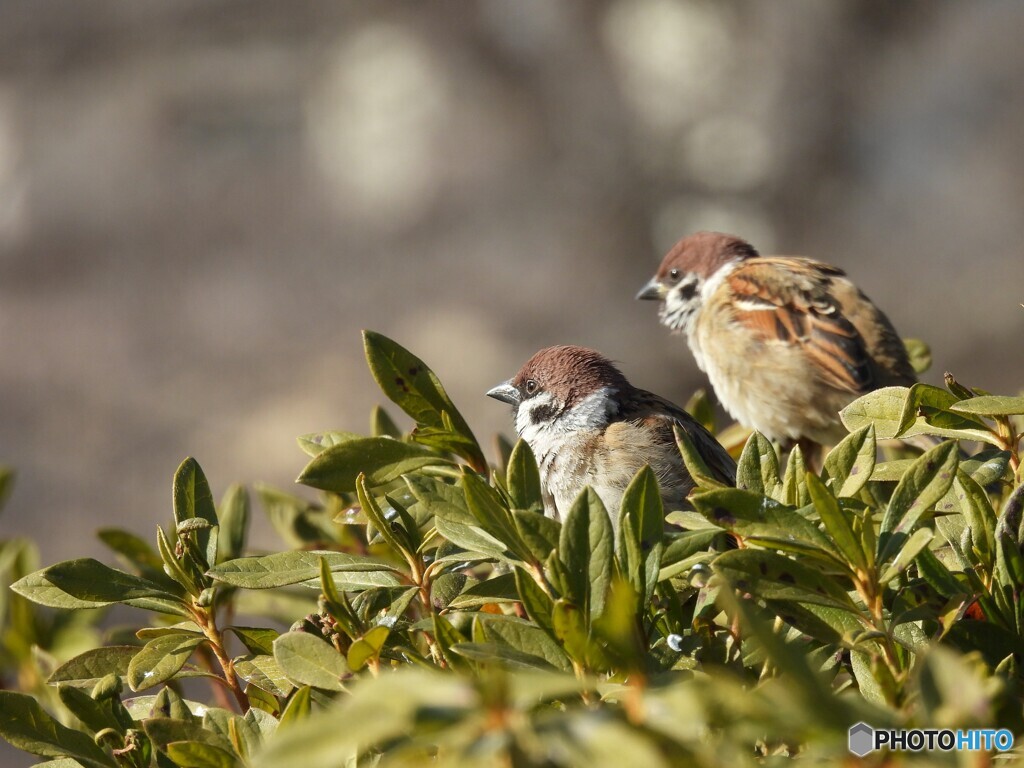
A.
pixel 922 487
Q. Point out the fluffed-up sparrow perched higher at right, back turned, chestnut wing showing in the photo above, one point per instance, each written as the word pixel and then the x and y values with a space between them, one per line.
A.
pixel 787 343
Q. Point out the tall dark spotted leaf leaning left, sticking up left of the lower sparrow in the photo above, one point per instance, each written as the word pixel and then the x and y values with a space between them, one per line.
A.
pixel 414 388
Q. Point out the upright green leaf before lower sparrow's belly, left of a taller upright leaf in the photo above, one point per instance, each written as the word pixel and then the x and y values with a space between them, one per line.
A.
pixel 586 547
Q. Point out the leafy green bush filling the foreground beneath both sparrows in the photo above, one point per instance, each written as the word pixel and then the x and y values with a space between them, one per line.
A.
pixel 443 618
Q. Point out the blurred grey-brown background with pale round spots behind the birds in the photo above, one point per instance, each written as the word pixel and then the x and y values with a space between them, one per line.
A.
pixel 203 202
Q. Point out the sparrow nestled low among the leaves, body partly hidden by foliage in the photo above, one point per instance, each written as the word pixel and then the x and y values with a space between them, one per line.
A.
pixel 587 425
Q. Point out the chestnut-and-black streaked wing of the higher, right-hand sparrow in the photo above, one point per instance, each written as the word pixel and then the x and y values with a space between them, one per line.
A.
pixel 787 302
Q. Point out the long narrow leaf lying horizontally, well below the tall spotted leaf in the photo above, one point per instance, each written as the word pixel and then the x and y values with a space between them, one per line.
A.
pixel 283 569
